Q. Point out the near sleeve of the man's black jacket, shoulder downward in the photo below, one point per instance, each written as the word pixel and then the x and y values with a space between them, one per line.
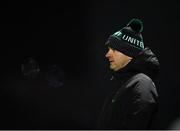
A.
pixel 138 105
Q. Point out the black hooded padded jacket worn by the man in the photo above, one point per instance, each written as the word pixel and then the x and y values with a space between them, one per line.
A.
pixel 133 103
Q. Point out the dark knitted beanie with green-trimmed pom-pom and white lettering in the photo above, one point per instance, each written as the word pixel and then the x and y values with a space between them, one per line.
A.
pixel 128 40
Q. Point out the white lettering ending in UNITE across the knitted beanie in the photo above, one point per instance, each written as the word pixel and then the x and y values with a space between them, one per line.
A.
pixel 130 39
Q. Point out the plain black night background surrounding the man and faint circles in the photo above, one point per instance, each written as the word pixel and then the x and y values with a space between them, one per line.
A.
pixel 71 34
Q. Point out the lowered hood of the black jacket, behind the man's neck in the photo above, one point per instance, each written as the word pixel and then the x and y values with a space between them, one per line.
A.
pixel 146 62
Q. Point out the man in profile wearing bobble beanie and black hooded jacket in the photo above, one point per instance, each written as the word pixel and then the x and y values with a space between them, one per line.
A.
pixel 133 103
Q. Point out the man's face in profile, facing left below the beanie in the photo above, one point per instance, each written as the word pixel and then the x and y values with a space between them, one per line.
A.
pixel 117 59
